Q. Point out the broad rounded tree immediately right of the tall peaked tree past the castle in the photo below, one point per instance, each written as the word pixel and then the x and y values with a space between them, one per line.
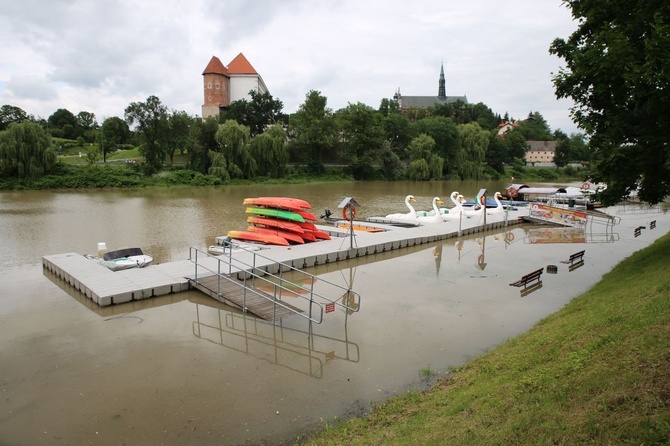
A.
pixel 362 138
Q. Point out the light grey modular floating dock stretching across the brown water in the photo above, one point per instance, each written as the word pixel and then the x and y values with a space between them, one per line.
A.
pixel 105 287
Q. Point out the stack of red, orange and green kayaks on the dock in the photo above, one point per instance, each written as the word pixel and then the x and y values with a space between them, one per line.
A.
pixel 280 221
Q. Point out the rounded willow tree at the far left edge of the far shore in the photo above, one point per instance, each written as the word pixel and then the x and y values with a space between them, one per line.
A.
pixel 25 151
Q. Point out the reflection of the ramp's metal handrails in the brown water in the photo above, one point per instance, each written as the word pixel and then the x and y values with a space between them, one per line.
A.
pixel 301 351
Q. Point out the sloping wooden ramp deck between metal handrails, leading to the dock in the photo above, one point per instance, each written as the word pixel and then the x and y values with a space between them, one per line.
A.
pixel 230 291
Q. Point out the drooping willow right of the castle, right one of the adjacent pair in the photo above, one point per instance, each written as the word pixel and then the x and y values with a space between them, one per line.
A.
pixel 270 152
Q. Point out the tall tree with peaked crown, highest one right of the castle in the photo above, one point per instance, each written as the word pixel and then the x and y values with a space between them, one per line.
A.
pixel 312 131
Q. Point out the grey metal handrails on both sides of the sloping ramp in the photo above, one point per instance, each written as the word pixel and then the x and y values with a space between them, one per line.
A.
pixel 228 265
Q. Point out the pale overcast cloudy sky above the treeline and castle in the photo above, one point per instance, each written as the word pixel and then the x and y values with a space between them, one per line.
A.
pixel 98 56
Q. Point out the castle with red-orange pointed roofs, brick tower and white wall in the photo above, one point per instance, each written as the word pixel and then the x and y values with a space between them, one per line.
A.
pixel 223 85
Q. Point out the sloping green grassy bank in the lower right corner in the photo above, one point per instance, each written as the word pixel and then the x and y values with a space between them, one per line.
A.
pixel 596 372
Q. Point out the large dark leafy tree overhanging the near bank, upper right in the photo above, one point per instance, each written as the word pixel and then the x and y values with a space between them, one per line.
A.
pixel 618 72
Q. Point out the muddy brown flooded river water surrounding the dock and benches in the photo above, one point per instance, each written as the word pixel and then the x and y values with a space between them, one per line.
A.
pixel 184 369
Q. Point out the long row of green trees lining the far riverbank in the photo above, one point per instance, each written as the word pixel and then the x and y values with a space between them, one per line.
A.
pixel 255 138
